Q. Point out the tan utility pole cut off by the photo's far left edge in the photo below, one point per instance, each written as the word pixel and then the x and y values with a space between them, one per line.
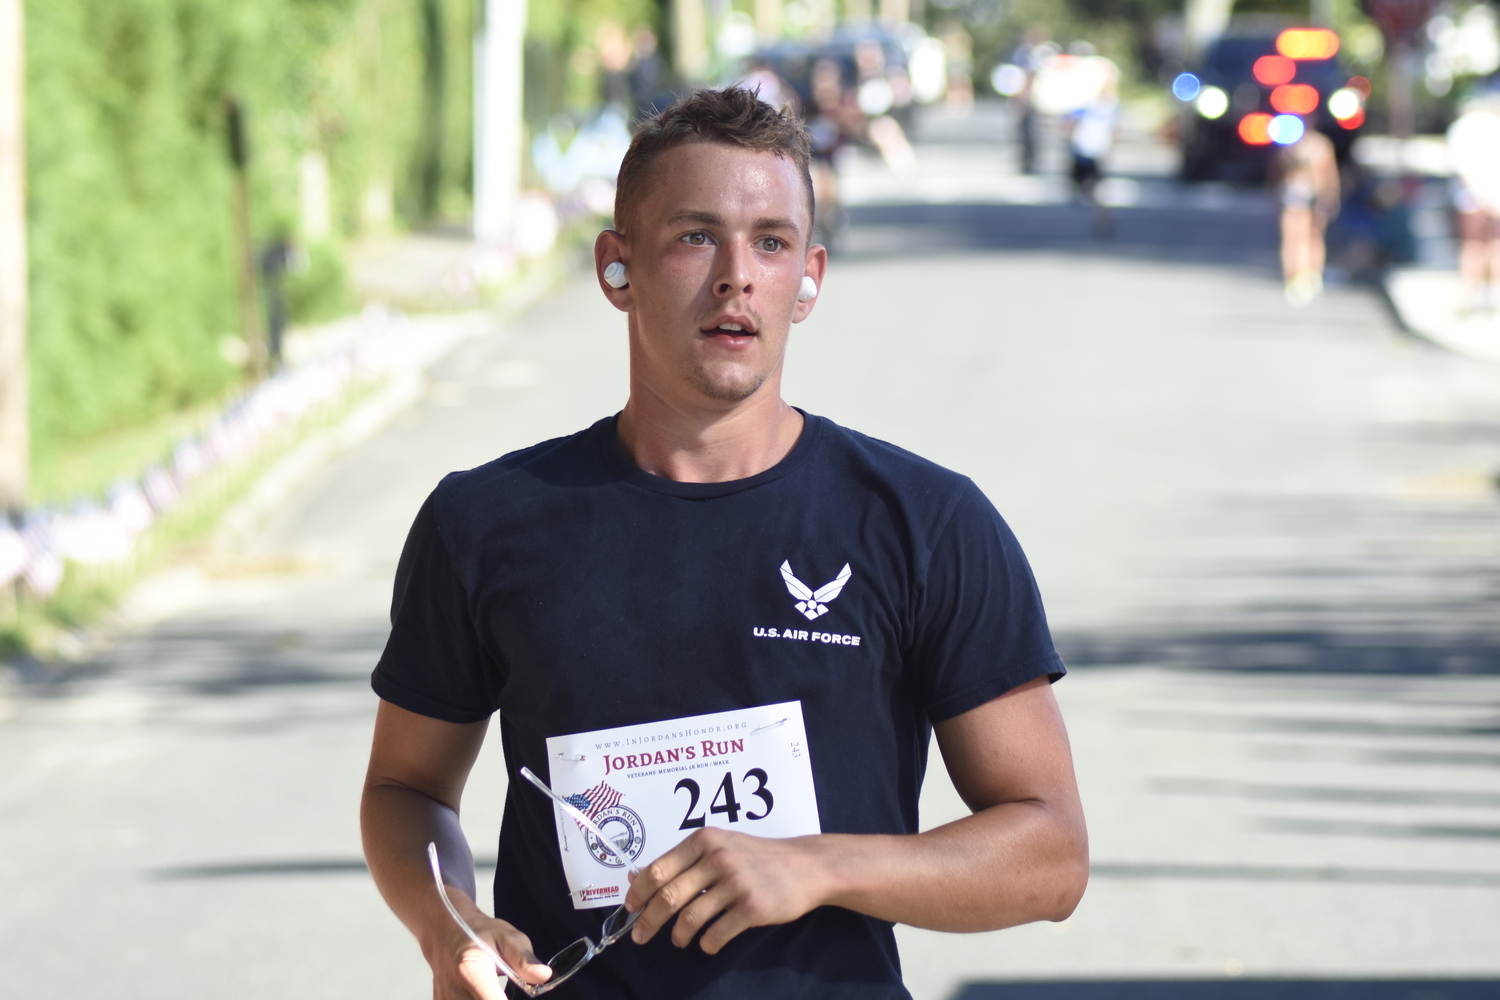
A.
pixel 16 443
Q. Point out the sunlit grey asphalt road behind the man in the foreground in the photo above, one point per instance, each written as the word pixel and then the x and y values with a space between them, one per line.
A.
pixel 1271 549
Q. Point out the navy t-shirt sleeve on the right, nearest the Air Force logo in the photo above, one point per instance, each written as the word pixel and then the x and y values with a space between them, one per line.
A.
pixel 980 626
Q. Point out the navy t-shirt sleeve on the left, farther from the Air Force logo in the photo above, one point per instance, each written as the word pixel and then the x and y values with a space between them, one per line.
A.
pixel 434 663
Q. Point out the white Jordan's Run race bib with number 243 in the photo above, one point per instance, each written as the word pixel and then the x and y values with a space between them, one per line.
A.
pixel 650 786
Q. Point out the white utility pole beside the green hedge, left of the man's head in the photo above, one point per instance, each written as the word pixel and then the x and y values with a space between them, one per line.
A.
pixel 499 128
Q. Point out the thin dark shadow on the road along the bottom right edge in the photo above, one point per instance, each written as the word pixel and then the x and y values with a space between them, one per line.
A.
pixel 1238 990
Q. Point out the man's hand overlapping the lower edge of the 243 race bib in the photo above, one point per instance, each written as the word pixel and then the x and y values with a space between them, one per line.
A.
pixel 743 881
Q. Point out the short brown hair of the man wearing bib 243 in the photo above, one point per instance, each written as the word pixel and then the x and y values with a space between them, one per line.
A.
pixel 733 116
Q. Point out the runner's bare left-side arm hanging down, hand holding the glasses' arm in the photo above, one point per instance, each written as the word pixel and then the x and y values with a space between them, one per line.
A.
pixel 412 798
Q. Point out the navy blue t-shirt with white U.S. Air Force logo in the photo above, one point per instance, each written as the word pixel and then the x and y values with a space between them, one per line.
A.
pixel 571 591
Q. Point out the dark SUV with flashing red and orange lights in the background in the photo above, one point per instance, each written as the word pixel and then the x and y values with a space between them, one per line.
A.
pixel 1237 82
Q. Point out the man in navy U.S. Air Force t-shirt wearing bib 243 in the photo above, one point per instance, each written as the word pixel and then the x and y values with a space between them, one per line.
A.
pixel 716 593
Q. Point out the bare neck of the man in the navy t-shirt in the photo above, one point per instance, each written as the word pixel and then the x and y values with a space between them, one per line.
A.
pixel 692 445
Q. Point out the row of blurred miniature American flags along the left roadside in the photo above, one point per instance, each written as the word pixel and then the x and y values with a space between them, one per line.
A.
pixel 95 533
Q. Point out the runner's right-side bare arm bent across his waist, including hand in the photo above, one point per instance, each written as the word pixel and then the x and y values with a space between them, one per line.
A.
pixel 1021 857
